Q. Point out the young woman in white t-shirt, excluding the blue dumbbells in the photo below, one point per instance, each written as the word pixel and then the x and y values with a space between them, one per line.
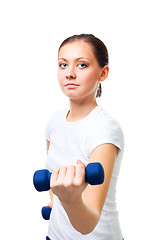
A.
pixel 82 134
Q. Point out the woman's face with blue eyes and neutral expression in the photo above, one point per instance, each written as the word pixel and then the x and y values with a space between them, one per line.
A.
pixel 78 71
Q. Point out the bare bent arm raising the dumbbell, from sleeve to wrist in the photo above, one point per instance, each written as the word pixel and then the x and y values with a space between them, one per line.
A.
pixel 84 213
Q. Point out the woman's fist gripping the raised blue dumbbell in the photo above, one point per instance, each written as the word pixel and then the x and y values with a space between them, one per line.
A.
pixel 68 183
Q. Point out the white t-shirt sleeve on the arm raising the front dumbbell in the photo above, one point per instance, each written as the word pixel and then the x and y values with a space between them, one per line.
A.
pixel 108 131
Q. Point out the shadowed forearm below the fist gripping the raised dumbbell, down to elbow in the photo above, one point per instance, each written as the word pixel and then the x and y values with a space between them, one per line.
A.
pixel 82 217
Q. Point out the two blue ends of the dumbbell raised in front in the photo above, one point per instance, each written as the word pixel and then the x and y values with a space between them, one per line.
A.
pixel 94 175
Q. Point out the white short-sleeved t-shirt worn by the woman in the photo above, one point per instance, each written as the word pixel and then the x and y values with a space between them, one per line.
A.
pixel 70 141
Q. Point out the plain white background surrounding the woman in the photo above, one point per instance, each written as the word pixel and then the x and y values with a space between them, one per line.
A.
pixel 30 34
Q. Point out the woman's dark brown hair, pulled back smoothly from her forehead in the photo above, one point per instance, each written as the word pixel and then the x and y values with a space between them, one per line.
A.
pixel 99 50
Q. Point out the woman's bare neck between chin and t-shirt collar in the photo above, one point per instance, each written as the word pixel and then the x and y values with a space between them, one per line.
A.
pixel 79 110
